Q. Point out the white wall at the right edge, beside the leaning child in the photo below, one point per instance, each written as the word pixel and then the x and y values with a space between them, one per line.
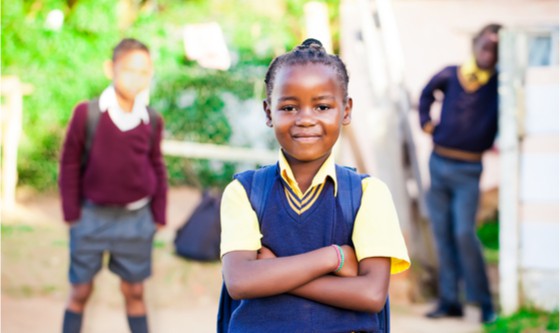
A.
pixel 539 170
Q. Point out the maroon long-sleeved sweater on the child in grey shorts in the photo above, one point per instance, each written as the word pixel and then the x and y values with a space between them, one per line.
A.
pixel 121 167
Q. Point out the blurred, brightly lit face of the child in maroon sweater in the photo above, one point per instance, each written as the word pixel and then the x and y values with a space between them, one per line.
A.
pixel 132 73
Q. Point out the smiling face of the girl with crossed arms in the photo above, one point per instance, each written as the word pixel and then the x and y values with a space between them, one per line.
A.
pixel 307 110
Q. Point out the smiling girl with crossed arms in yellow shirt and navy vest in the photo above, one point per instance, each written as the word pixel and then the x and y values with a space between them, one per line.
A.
pixel 300 268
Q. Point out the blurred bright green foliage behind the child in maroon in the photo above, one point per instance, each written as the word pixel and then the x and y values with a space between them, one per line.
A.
pixel 65 67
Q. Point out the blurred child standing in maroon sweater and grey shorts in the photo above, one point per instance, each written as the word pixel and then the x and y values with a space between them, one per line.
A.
pixel 116 200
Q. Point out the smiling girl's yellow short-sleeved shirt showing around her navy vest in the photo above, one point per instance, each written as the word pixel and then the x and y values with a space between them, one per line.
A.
pixel 376 231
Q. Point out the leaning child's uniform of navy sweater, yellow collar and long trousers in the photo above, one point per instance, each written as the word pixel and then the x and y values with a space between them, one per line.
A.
pixel 468 126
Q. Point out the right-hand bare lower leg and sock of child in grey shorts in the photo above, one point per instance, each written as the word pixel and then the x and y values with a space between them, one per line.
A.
pixel 135 307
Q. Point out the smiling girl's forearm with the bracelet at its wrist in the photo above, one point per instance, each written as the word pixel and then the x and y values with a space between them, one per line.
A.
pixel 246 277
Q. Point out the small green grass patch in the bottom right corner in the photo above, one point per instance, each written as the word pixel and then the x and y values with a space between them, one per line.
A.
pixel 525 321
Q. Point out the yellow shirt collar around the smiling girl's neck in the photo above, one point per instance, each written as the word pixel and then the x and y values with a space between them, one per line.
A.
pixel 326 170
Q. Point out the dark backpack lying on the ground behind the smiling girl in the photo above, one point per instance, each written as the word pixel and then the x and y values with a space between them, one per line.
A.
pixel 199 237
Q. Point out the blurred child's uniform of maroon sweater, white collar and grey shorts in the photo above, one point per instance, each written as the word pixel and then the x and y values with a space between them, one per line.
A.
pixel 115 199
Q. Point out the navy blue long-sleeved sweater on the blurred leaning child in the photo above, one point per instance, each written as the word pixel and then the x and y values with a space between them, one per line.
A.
pixel 469 120
